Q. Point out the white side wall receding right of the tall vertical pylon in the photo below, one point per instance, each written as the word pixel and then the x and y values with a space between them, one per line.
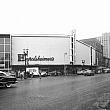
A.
pixel 83 52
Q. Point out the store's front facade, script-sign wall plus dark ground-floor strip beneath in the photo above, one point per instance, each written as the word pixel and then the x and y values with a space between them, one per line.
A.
pixel 51 52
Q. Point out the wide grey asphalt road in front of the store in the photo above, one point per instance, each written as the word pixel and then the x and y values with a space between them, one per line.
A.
pixel 55 93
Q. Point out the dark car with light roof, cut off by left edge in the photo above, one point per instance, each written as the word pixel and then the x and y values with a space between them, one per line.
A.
pixel 6 80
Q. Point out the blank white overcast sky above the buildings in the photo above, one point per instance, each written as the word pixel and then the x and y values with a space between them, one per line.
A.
pixel 90 18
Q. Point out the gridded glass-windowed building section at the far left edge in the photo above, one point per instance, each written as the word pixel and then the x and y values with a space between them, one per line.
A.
pixel 5 52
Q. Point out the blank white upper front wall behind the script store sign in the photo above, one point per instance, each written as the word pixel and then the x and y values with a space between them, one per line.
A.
pixel 41 47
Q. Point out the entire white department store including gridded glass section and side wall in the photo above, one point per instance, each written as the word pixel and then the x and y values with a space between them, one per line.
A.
pixel 44 51
